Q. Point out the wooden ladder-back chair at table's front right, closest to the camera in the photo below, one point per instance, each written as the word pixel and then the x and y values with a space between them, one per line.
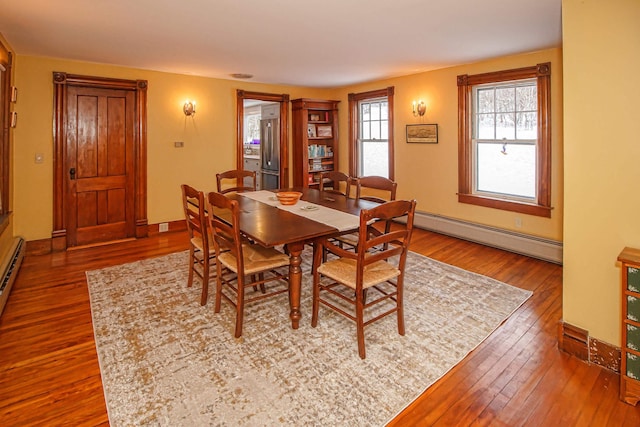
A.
pixel 347 279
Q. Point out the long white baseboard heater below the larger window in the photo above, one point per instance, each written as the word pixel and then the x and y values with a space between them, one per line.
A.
pixel 533 246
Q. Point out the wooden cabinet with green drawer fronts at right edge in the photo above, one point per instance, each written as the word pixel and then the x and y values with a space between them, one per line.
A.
pixel 630 342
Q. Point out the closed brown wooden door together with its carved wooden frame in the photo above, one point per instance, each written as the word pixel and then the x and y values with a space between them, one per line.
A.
pixel 99 160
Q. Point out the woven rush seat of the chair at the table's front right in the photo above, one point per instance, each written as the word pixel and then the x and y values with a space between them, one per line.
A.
pixel 344 270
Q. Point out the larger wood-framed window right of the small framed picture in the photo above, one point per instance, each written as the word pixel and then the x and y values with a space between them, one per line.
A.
pixel 505 140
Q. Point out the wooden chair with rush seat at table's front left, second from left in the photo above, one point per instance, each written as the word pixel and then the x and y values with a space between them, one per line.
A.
pixel 240 263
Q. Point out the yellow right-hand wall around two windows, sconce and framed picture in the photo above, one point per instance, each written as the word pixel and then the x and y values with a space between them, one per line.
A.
pixel 429 172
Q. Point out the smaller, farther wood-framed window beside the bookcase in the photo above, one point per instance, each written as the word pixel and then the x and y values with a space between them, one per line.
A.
pixel 371 133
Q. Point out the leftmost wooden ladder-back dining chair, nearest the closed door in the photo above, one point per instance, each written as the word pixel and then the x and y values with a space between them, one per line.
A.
pixel 201 251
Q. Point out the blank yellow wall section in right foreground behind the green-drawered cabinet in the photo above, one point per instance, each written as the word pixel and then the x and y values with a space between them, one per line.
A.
pixel 602 150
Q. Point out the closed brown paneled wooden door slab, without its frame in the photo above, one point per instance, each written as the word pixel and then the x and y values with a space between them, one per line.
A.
pixel 100 162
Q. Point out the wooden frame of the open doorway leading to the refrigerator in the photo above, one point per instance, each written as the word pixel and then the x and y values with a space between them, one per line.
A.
pixel 241 138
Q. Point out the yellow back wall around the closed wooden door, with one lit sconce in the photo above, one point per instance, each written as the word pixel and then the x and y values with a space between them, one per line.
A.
pixel 210 137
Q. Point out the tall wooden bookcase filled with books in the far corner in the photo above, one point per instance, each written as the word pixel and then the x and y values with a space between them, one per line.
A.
pixel 315 140
